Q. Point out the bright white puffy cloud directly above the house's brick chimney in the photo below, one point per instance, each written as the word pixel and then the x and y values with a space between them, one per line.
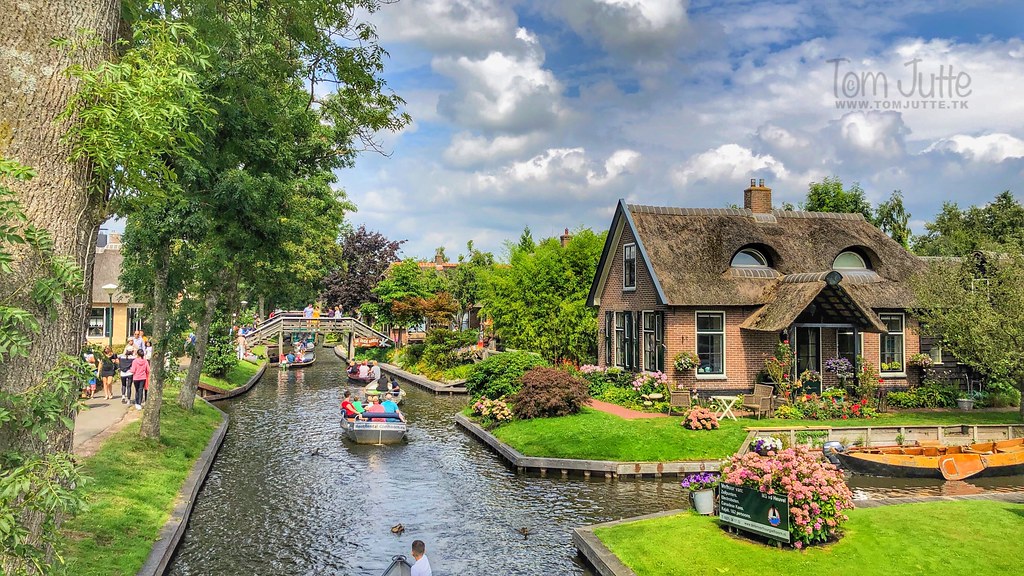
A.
pixel 729 163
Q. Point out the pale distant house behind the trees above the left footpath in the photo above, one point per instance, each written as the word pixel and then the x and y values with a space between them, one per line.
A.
pixel 116 317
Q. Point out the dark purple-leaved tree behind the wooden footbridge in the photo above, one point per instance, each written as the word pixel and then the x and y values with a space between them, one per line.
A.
pixel 366 258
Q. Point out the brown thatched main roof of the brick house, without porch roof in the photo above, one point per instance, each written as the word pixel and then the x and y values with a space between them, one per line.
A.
pixel 691 252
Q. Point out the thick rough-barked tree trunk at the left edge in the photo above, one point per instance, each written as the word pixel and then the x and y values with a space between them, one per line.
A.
pixel 34 90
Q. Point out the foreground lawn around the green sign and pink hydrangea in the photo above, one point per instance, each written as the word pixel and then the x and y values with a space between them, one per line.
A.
pixel 961 538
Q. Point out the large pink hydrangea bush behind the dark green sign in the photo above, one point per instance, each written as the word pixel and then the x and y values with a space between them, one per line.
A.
pixel 819 495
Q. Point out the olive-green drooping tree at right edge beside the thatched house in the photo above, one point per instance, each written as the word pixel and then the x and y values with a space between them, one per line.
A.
pixel 976 307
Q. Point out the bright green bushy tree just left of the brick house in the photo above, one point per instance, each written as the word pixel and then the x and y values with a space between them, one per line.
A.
pixel 539 303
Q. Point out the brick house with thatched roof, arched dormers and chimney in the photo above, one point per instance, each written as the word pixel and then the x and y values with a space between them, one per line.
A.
pixel 729 284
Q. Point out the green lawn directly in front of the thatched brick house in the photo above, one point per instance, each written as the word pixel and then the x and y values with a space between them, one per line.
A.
pixel 598 436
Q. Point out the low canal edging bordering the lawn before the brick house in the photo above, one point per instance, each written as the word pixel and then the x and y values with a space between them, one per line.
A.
pixel 608 469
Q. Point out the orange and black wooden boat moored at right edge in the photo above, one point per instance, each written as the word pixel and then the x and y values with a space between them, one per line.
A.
pixel 950 463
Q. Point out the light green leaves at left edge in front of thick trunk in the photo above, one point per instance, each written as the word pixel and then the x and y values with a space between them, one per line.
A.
pixel 36 485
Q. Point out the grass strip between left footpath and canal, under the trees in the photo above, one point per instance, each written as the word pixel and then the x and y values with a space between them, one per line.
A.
pixel 134 488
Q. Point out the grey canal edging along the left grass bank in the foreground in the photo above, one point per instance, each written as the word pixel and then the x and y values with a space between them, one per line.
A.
pixel 170 536
